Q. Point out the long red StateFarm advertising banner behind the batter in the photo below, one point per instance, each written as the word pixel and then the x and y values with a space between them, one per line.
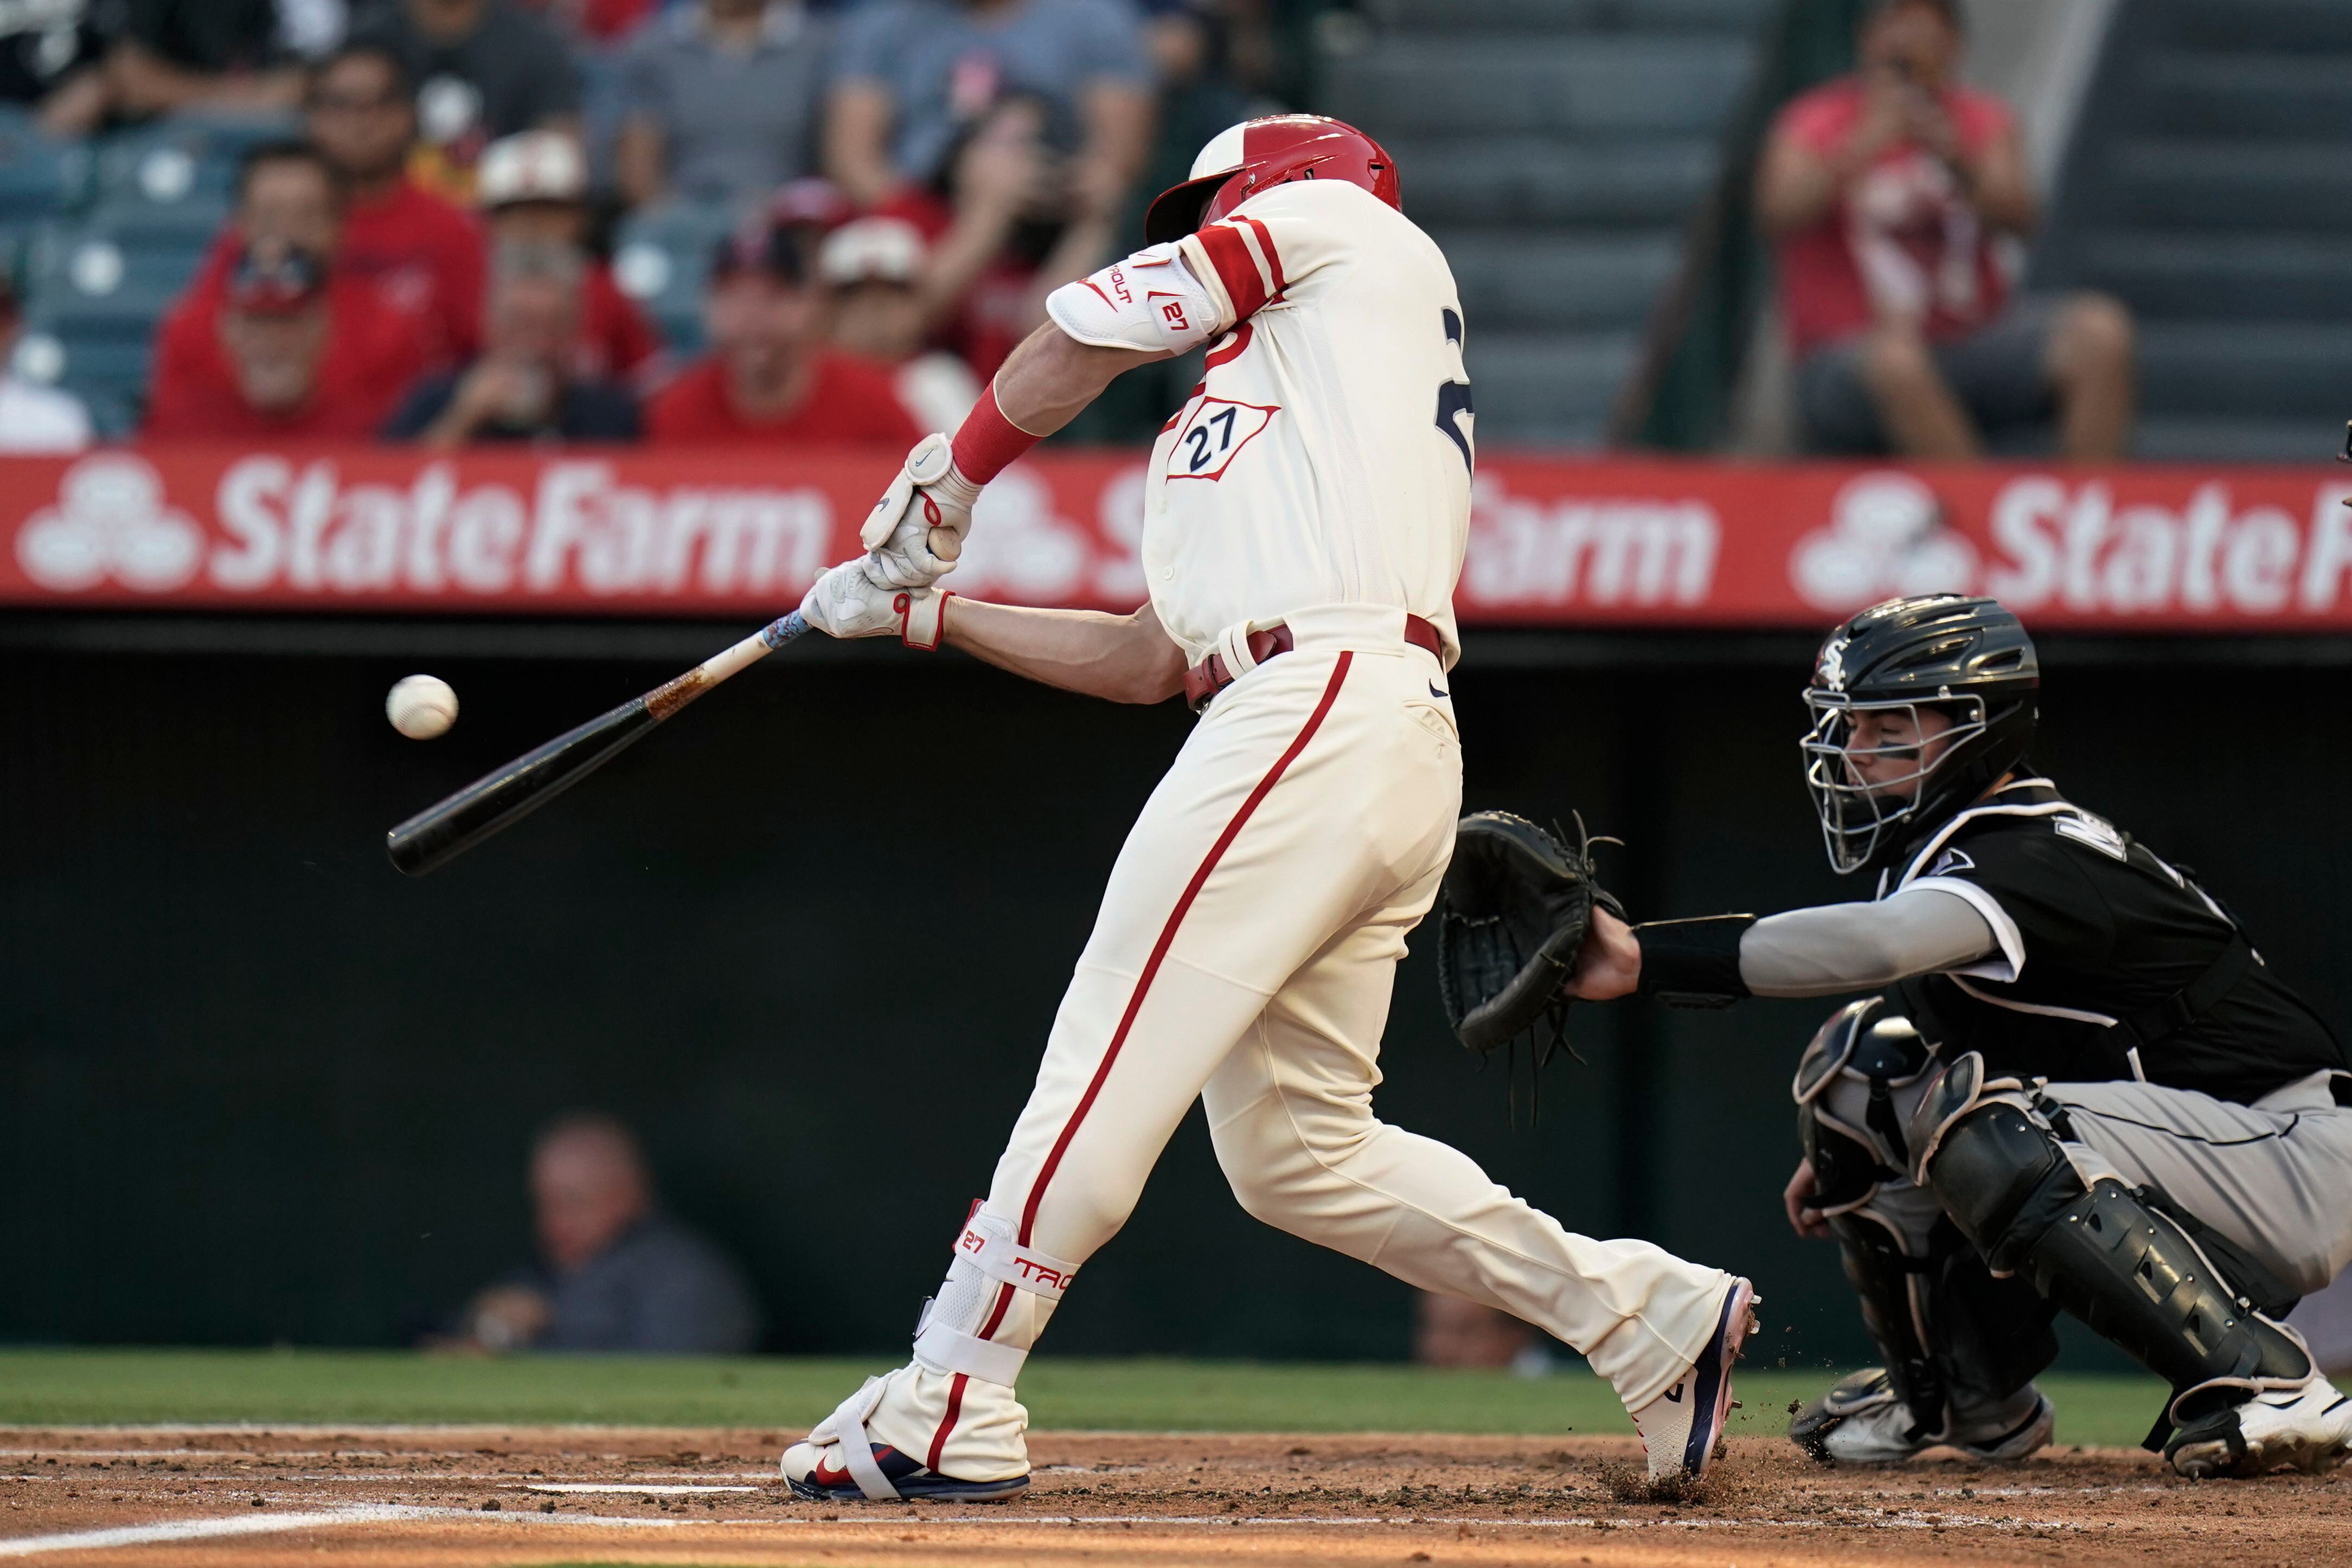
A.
pixel 1553 542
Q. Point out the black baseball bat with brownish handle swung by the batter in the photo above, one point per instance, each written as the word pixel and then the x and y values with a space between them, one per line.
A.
pixel 512 793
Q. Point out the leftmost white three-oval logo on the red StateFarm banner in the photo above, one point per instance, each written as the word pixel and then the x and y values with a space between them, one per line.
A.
pixel 109 523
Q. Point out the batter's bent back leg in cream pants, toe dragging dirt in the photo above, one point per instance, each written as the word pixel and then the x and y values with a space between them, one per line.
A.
pixel 1292 1120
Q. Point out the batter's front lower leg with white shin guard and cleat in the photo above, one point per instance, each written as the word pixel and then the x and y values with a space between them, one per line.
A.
pixel 949 1423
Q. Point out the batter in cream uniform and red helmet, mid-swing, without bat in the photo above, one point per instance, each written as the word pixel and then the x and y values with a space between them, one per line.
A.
pixel 1304 528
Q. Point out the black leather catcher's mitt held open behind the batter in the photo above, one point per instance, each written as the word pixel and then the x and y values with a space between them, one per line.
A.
pixel 1516 911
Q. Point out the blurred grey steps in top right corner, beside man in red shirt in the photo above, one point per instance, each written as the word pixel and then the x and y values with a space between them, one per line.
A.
pixel 2210 189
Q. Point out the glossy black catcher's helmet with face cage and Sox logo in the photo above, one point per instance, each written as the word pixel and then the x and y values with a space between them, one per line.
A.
pixel 1953 652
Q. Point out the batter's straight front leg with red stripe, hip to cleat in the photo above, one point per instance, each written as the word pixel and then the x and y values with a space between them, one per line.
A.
pixel 1307 796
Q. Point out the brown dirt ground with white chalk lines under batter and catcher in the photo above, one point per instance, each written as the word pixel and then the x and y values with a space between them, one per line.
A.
pixel 432 1496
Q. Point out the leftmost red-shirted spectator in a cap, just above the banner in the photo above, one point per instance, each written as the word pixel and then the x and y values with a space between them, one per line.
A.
pixel 286 356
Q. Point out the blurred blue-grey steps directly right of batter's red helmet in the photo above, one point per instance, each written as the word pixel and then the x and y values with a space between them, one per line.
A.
pixel 1556 149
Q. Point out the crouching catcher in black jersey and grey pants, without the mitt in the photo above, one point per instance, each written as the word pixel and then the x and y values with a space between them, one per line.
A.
pixel 2078 1085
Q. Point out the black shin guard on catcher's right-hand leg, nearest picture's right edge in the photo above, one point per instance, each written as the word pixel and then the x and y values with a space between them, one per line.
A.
pixel 2118 1264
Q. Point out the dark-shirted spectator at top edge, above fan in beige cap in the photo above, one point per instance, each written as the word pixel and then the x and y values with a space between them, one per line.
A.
pixel 483 69
